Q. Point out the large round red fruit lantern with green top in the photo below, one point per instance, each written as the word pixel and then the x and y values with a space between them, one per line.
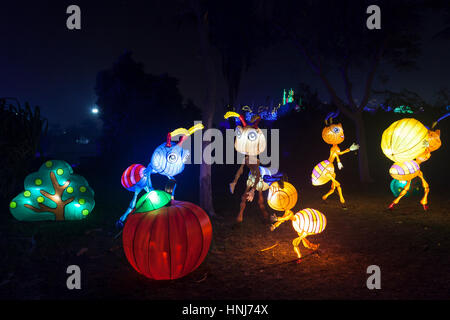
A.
pixel 165 239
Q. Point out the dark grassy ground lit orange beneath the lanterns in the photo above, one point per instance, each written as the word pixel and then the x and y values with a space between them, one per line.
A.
pixel 409 245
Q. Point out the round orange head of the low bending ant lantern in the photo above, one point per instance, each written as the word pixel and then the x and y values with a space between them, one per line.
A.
pixel 282 198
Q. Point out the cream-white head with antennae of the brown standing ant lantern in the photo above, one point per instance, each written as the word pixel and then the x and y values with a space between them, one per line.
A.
pixel 250 140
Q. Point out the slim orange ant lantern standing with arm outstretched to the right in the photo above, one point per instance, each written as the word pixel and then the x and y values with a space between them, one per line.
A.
pixel 323 172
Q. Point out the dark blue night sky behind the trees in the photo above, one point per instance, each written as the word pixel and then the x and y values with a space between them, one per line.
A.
pixel 43 62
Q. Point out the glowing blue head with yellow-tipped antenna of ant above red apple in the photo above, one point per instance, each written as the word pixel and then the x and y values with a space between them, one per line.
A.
pixel 168 159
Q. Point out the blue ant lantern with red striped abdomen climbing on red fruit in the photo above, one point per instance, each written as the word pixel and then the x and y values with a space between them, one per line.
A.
pixel 168 159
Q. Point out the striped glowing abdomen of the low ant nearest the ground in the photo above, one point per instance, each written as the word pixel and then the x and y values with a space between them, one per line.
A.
pixel 309 221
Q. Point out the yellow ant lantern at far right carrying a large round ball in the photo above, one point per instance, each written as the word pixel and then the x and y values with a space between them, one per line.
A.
pixel 409 143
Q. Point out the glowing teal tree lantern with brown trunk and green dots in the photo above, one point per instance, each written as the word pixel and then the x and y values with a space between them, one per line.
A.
pixel 53 193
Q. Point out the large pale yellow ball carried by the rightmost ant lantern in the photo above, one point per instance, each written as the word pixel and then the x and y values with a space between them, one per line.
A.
pixel 404 140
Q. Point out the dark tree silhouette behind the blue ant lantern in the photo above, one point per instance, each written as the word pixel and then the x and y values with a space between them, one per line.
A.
pixel 138 108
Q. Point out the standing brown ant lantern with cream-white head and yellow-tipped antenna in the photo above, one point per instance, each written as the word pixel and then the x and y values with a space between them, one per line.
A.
pixel 251 142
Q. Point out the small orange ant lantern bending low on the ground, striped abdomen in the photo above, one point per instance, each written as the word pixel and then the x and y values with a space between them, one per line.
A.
pixel 283 197
